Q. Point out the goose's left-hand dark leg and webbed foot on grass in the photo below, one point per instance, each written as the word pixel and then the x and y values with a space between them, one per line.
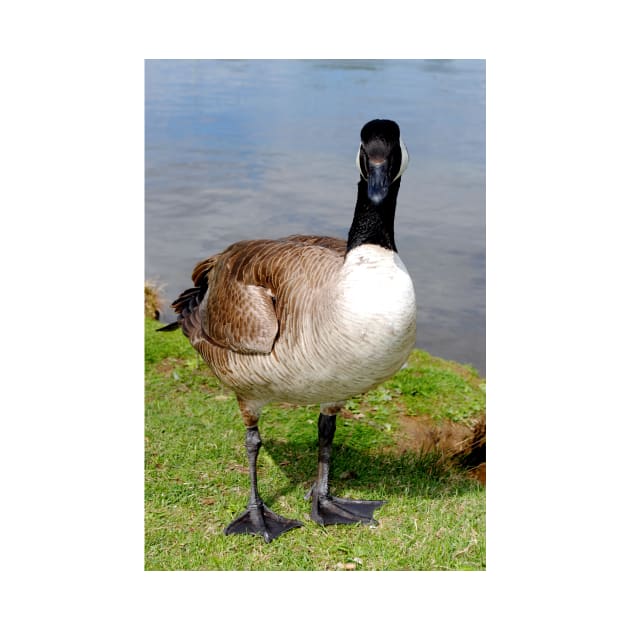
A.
pixel 258 518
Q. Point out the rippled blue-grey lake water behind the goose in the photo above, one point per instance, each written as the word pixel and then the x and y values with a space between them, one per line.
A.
pixel 263 149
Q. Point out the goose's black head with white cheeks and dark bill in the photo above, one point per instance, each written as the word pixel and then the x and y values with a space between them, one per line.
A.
pixel 382 157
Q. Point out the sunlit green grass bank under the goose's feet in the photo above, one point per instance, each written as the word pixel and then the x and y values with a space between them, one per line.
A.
pixel 197 482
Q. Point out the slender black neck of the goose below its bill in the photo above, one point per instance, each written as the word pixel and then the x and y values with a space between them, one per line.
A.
pixel 374 224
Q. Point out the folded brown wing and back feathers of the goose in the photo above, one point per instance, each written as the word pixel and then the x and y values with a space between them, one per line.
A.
pixel 240 295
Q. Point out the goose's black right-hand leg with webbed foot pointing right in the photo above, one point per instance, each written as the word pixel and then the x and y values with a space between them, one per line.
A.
pixel 326 509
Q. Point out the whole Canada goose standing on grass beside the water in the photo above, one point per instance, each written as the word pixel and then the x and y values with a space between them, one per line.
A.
pixel 309 319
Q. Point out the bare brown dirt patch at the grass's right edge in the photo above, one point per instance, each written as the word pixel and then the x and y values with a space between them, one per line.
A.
pixel 465 446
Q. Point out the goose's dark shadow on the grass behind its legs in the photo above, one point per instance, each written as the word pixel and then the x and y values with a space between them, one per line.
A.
pixel 365 474
